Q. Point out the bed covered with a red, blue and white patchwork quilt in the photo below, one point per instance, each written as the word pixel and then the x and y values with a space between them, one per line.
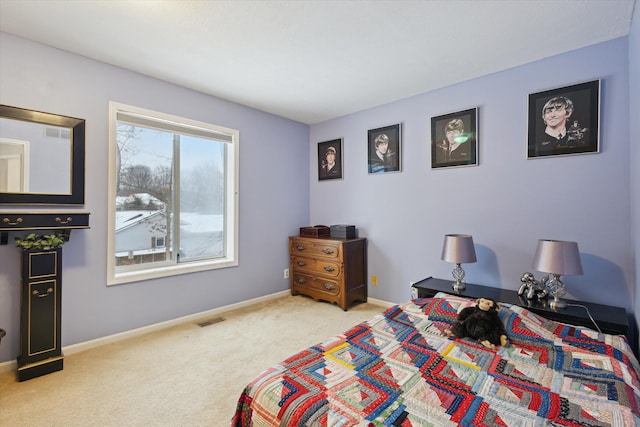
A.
pixel 400 368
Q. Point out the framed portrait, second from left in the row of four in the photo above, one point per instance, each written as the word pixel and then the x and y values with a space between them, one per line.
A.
pixel 384 149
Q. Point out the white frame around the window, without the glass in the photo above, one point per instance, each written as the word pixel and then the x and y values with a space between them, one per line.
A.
pixel 230 259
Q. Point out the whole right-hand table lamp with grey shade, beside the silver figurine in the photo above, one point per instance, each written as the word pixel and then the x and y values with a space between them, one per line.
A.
pixel 557 257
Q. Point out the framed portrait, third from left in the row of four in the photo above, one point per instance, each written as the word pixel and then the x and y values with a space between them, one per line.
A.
pixel 454 139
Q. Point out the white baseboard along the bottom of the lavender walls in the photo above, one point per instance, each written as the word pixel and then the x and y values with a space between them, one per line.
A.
pixel 87 345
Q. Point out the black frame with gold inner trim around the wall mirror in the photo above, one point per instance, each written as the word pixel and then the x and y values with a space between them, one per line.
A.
pixel 77 127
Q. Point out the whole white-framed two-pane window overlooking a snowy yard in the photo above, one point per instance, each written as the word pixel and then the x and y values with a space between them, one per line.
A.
pixel 173 195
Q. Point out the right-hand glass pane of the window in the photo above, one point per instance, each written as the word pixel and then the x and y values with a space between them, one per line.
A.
pixel 202 198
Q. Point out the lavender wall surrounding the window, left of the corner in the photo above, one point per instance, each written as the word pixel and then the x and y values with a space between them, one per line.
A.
pixel 273 200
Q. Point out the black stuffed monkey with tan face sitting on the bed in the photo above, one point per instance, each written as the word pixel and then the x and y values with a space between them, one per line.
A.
pixel 480 322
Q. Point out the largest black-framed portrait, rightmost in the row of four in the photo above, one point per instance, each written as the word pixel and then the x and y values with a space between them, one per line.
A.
pixel 564 121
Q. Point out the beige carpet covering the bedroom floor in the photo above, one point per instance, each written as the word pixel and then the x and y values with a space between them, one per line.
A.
pixel 185 375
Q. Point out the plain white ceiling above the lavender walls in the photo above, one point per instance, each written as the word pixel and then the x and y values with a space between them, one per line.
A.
pixel 311 61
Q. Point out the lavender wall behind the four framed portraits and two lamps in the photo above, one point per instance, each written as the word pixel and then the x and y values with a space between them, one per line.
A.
pixel 506 202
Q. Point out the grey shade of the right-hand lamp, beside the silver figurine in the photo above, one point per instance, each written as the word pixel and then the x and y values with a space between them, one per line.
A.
pixel 557 257
